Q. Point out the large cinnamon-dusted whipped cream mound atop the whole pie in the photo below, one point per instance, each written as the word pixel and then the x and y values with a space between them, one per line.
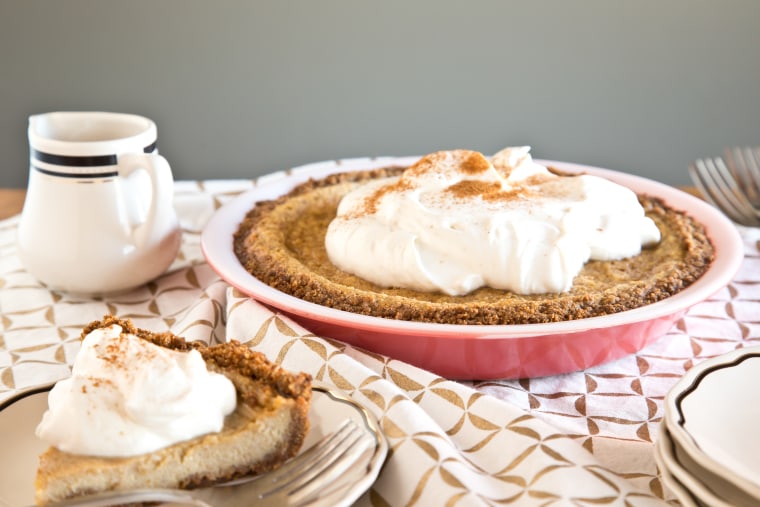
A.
pixel 456 221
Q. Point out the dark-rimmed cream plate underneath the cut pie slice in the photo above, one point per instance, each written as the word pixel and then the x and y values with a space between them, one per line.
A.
pixel 20 415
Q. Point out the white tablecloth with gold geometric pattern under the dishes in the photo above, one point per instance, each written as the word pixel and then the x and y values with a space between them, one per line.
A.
pixel 576 439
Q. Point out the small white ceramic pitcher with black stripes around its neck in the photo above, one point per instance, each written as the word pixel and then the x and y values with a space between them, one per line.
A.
pixel 98 215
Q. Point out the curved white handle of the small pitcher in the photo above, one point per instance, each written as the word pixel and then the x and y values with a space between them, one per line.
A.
pixel 160 215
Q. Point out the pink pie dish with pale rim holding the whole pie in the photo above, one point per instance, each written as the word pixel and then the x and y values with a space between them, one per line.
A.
pixel 489 351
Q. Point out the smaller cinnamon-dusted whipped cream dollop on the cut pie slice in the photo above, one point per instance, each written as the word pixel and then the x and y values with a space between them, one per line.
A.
pixel 127 396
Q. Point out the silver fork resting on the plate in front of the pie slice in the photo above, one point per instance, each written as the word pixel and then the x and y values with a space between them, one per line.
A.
pixel 294 483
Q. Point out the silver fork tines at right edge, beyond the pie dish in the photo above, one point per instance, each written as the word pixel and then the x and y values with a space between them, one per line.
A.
pixel 720 185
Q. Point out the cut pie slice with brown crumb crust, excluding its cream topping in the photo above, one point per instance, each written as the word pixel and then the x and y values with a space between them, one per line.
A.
pixel 267 427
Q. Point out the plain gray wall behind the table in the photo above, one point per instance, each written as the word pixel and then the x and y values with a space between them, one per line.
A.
pixel 241 88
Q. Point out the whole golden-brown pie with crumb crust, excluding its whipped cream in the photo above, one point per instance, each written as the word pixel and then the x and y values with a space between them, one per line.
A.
pixel 281 242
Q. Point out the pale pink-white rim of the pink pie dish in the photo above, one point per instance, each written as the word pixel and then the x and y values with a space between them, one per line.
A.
pixel 216 247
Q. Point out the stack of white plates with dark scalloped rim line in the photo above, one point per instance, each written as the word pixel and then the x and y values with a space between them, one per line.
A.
pixel 708 449
